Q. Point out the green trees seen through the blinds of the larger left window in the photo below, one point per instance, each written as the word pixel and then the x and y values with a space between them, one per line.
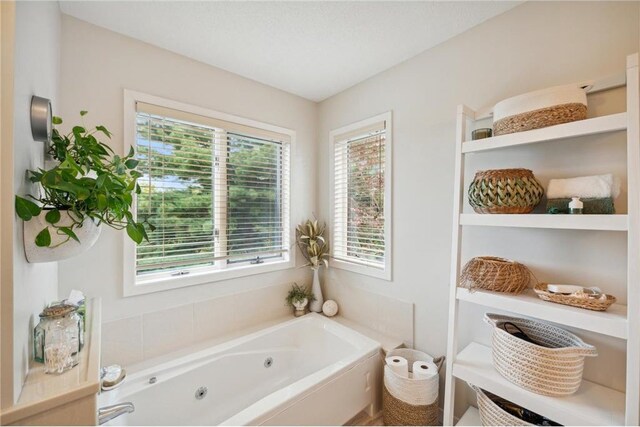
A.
pixel 215 197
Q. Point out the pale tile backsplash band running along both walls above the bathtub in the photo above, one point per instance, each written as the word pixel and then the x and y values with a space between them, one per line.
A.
pixel 136 339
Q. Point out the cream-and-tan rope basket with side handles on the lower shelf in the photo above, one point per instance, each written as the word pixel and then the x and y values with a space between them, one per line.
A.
pixel 553 368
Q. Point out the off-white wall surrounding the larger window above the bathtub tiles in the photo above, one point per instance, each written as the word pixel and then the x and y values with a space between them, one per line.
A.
pixel 97 65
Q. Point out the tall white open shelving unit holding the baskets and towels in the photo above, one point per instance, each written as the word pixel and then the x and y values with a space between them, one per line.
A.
pixel 592 404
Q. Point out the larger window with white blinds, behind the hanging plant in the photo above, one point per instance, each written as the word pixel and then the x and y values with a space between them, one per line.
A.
pixel 217 191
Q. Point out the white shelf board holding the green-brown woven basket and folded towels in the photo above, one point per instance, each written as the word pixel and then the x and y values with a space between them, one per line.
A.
pixel 567 222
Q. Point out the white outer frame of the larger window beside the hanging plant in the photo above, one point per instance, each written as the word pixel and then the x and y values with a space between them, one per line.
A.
pixel 201 275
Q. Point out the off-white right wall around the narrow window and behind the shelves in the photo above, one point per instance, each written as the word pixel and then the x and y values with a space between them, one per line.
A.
pixel 535 45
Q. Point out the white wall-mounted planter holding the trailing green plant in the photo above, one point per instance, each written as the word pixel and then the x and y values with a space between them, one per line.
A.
pixel 87 234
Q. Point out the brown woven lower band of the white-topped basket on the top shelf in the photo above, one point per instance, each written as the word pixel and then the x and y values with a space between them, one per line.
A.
pixel 541 118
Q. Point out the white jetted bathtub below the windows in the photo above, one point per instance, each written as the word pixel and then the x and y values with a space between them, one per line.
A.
pixel 306 371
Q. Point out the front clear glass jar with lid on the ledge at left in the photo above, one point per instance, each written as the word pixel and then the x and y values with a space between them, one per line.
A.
pixel 58 338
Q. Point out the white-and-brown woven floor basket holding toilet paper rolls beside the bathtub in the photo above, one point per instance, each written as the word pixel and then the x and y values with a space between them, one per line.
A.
pixel 422 409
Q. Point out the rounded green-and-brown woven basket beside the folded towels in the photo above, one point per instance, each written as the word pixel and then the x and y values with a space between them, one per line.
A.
pixel 505 191
